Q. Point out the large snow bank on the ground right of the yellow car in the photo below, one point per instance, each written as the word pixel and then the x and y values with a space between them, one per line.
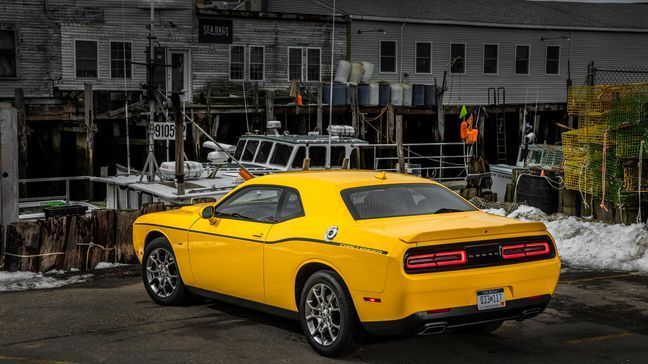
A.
pixel 591 244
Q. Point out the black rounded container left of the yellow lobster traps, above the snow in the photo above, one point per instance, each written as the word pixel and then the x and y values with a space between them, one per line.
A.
pixel 536 191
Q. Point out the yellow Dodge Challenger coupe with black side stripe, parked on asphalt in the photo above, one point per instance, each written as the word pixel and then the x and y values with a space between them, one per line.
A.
pixel 344 251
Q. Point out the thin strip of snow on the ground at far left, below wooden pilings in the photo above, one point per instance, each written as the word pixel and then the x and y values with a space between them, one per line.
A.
pixel 22 281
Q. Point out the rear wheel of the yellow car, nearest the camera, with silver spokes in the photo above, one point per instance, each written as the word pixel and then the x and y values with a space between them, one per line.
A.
pixel 327 315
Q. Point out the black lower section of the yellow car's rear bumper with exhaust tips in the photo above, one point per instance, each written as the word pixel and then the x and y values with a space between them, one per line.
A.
pixel 434 323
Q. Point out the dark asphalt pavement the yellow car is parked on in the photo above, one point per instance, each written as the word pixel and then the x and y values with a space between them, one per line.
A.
pixel 595 317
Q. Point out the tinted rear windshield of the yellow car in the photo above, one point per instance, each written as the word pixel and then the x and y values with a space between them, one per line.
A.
pixel 373 202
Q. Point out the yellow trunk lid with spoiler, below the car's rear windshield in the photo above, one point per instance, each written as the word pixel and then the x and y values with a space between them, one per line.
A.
pixel 447 226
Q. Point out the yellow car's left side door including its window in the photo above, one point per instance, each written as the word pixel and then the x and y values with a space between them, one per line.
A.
pixel 226 252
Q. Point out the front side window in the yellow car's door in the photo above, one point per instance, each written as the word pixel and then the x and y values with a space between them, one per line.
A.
pixel 255 204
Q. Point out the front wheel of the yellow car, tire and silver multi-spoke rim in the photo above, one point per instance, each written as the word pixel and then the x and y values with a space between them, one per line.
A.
pixel 161 276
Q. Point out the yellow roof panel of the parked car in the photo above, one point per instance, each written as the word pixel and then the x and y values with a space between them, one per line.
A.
pixel 340 179
